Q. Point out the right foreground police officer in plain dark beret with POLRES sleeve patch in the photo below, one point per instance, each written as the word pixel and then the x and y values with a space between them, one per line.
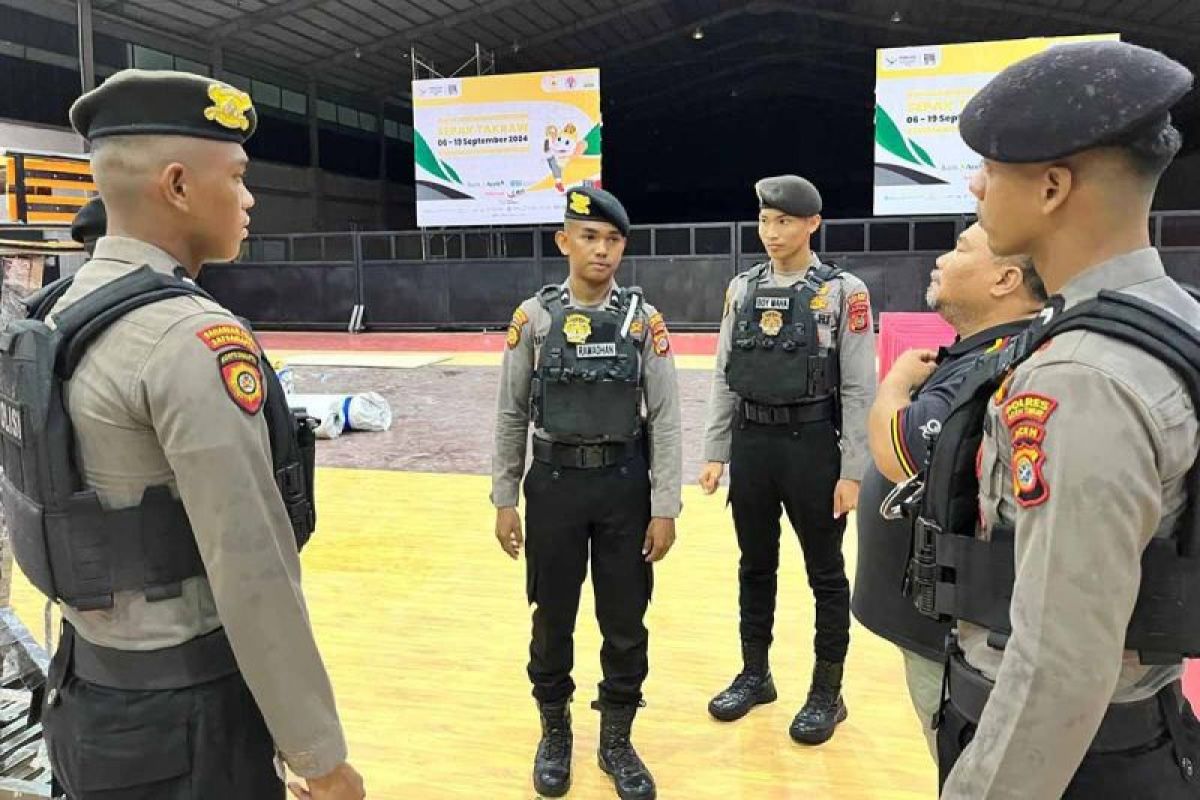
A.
pixel 1087 447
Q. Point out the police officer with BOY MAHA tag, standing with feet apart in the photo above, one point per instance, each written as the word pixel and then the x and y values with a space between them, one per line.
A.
pixel 795 378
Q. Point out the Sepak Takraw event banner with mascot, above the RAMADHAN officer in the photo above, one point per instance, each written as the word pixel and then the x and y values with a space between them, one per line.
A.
pixel 505 149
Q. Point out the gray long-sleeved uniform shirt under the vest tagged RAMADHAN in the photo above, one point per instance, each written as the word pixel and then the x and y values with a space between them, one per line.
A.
pixel 661 393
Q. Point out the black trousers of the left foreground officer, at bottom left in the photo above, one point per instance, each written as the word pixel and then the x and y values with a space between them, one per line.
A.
pixel 203 742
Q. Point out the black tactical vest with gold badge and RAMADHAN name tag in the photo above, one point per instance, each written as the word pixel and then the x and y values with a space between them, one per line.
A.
pixel 587 383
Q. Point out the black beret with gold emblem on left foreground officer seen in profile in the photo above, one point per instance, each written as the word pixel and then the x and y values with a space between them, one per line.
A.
pixel 142 103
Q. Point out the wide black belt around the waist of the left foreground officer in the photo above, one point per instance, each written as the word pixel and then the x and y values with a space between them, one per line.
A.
pixel 200 661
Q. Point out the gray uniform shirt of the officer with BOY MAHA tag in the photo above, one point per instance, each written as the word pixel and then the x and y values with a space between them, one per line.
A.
pixel 856 354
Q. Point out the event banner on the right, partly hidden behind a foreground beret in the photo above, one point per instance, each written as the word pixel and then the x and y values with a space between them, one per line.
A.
pixel 921 164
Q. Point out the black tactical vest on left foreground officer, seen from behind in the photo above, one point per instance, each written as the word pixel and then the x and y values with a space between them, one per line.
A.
pixel 67 543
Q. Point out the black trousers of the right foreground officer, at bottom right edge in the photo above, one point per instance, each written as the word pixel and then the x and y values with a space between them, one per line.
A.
pixel 1167 768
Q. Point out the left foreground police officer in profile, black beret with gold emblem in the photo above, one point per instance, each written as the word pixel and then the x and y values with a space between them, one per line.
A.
pixel 177 688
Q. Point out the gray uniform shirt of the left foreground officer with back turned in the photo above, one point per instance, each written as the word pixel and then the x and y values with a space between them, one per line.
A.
pixel 151 408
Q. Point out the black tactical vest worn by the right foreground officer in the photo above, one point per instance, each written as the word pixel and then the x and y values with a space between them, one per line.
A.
pixel 953 575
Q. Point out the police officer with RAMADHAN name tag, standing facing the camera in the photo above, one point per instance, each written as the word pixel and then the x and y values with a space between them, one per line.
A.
pixel 581 360
